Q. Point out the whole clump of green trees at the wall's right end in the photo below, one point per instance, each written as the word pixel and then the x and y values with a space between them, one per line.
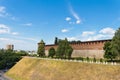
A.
pixel 112 49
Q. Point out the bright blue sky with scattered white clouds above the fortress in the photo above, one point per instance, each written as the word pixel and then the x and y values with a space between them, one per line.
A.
pixel 25 22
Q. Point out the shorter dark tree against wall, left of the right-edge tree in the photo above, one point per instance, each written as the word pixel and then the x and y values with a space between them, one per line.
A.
pixel 108 53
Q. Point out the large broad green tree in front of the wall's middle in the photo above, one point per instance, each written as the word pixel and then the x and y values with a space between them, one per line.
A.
pixel 64 49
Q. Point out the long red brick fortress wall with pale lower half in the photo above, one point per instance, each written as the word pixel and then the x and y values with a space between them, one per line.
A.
pixel 85 49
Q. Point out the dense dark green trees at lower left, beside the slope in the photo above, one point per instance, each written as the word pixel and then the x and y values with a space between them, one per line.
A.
pixel 8 58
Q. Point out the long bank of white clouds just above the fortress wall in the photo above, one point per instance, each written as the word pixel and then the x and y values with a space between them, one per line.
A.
pixel 106 33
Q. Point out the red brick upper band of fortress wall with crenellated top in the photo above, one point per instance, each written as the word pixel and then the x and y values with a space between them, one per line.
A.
pixel 85 45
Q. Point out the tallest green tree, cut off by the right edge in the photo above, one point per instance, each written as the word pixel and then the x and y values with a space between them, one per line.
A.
pixel 115 43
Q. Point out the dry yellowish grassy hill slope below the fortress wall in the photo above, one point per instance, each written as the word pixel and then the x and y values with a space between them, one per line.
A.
pixel 38 69
